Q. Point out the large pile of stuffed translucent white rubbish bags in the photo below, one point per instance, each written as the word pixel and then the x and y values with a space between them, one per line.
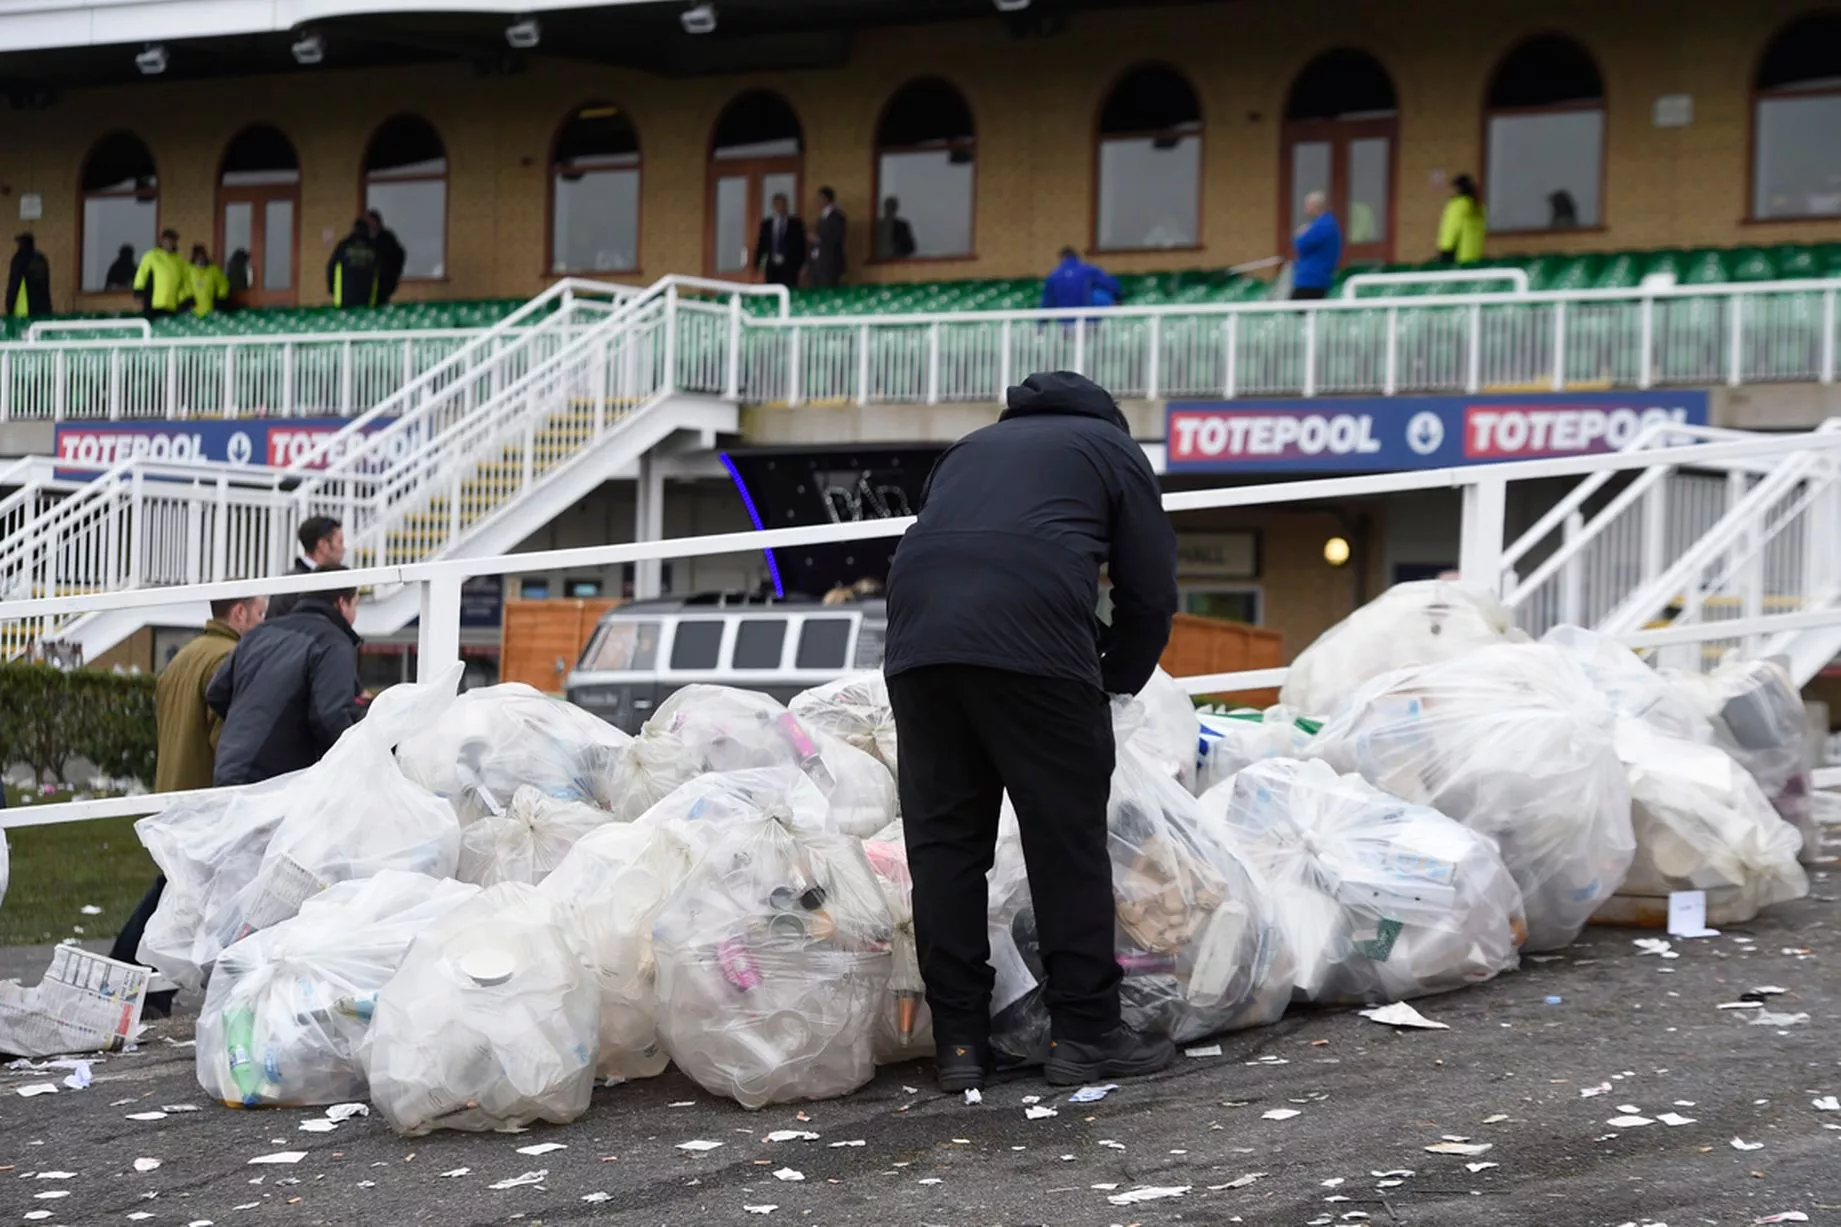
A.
pixel 478 907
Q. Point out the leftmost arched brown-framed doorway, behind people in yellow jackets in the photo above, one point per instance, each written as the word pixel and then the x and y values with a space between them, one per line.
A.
pixel 259 202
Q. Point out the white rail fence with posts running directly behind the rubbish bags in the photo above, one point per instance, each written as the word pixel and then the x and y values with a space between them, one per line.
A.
pixel 1481 552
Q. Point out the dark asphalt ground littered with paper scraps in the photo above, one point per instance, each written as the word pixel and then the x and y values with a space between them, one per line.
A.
pixel 1369 1101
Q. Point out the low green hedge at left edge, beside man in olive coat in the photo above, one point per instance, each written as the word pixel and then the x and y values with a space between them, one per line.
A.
pixel 51 716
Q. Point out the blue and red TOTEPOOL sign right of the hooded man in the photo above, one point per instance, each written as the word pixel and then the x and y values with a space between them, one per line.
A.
pixel 1371 436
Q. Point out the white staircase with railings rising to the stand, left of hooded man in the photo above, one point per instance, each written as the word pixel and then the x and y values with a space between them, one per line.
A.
pixel 469 460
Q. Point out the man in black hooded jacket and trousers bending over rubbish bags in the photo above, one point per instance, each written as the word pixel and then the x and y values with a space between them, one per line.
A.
pixel 999 675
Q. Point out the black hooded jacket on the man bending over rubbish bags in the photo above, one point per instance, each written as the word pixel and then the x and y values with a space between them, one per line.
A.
pixel 1017 520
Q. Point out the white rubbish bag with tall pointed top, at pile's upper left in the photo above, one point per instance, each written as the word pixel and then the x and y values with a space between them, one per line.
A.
pixel 353 815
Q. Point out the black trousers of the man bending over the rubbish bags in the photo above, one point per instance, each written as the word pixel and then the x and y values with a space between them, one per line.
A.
pixel 967 736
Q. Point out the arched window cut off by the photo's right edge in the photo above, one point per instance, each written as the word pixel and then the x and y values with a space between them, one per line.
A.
pixel 1798 123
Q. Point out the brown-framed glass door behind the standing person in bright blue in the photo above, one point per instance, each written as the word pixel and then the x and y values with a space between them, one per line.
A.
pixel 1352 163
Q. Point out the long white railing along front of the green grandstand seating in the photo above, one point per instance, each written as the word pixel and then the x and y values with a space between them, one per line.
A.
pixel 1641 338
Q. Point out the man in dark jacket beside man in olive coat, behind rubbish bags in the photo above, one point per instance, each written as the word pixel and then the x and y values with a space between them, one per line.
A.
pixel 288 690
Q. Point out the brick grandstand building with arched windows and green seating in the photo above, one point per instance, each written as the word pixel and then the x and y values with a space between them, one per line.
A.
pixel 1662 180
